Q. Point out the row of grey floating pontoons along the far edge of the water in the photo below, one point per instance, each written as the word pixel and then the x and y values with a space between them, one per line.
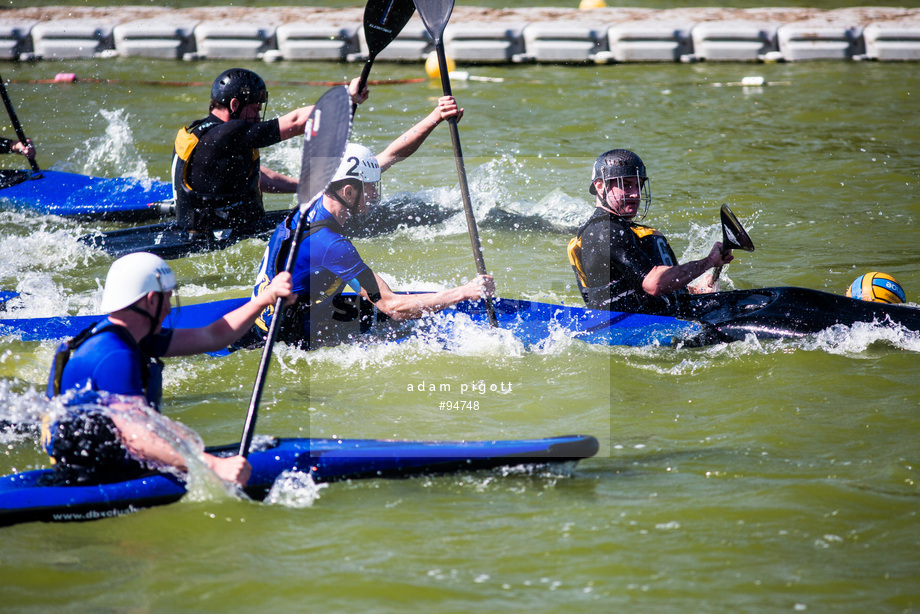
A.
pixel 539 35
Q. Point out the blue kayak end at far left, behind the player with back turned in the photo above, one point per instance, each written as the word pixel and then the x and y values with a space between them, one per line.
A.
pixel 72 195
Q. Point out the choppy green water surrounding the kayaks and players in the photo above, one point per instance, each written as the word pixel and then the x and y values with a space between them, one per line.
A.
pixel 754 477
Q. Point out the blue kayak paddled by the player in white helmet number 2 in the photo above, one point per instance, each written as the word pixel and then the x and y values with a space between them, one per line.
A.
pixel 529 321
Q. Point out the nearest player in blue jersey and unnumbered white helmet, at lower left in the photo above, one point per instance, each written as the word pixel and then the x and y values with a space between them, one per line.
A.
pixel 121 356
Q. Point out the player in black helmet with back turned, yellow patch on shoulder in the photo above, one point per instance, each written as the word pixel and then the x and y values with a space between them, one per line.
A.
pixel 218 179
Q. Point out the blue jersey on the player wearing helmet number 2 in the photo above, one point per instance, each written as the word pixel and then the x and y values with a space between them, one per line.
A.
pixel 327 263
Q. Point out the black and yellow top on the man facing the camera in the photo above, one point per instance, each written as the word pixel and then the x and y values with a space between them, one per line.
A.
pixel 616 255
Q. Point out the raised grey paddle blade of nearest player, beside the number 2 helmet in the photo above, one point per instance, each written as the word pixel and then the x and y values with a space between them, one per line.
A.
pixel 325 138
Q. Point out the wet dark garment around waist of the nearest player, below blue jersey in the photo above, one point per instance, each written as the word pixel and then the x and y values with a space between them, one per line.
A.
pixel 87 450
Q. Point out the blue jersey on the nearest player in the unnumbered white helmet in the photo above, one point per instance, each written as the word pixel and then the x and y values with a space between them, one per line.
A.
pixel 109 360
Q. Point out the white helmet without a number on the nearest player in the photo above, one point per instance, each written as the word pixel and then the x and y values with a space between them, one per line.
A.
pixel 131 277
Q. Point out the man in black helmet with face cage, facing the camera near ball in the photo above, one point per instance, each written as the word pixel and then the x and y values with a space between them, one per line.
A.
pixel 624 266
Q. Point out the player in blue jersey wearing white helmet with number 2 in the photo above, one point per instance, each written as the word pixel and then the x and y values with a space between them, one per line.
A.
pixel 328 263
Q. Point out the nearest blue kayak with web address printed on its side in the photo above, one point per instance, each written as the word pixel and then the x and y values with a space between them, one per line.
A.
pixel 25 498
